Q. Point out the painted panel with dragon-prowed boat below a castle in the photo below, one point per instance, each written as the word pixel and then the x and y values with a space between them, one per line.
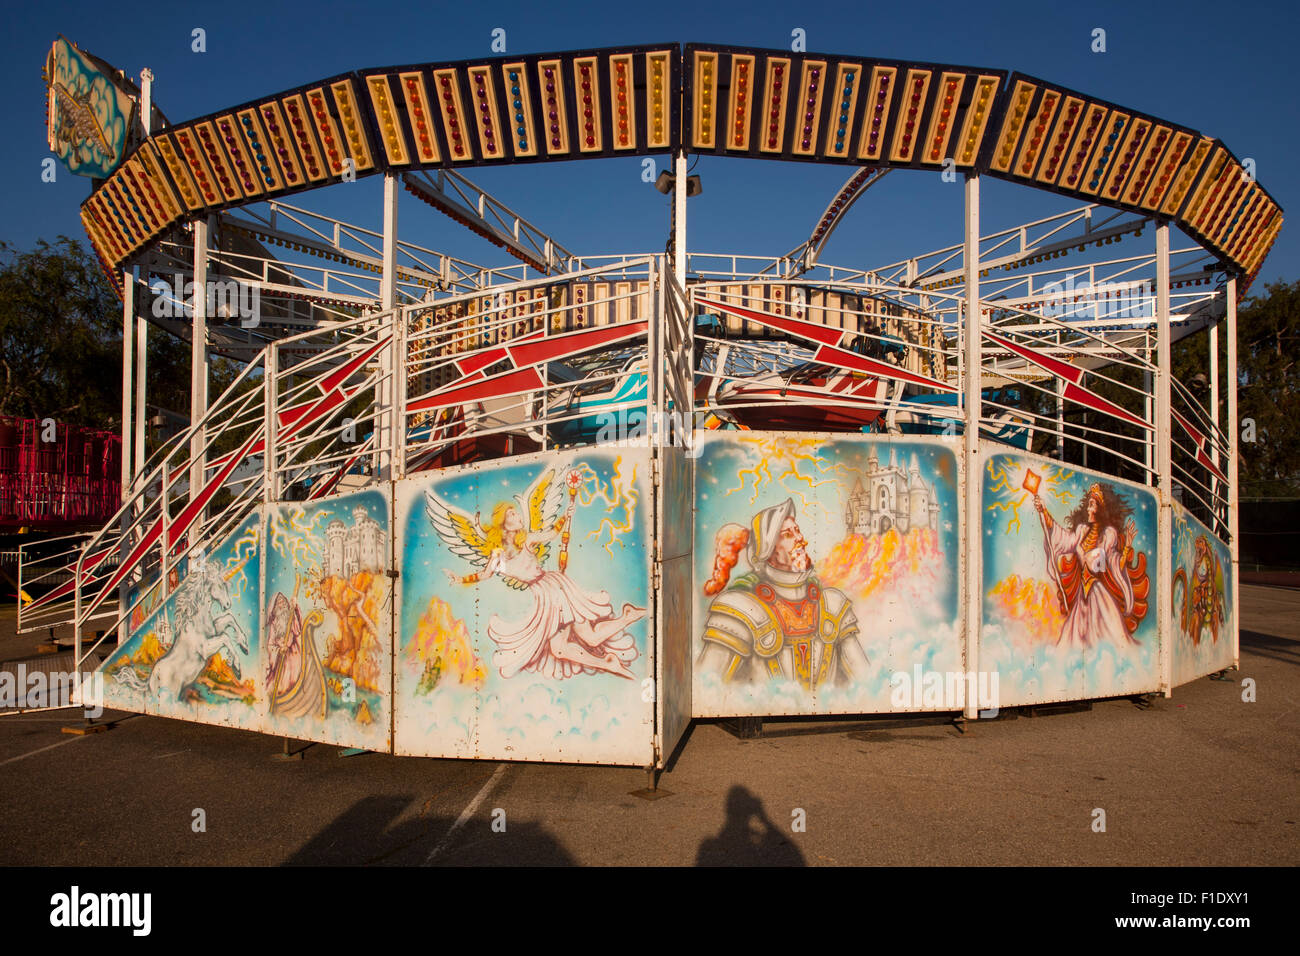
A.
pixel 327 621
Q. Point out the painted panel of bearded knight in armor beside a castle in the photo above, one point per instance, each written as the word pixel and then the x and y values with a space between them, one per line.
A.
pixel 826 574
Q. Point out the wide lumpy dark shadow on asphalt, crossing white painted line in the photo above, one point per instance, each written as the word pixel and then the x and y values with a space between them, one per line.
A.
pixel 367 836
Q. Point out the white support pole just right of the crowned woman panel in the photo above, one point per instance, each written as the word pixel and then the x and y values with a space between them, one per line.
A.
pixel 1164 465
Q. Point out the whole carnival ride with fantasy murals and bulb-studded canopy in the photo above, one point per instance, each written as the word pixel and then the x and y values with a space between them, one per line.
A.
pixel 557 511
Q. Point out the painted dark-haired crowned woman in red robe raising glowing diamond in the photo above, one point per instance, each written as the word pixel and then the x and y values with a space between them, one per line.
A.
pixel 1102 582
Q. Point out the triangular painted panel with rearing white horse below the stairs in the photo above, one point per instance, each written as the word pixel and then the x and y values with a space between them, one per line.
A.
pixel 196 657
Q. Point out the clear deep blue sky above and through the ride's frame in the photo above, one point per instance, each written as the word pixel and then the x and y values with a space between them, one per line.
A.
pixel 1227 70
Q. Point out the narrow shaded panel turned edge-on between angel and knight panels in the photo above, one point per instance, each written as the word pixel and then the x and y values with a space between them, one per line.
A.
pixel 677 520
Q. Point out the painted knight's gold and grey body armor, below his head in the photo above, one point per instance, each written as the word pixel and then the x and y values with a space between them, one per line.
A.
pixel 783 626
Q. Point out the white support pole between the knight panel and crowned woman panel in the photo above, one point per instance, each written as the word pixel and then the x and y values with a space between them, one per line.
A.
pixel 973 380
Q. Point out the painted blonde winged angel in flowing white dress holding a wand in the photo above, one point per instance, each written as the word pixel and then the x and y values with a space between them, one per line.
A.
pixel 570 630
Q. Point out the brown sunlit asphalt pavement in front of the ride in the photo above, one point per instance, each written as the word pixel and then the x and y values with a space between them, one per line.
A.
pixel 1202 778
